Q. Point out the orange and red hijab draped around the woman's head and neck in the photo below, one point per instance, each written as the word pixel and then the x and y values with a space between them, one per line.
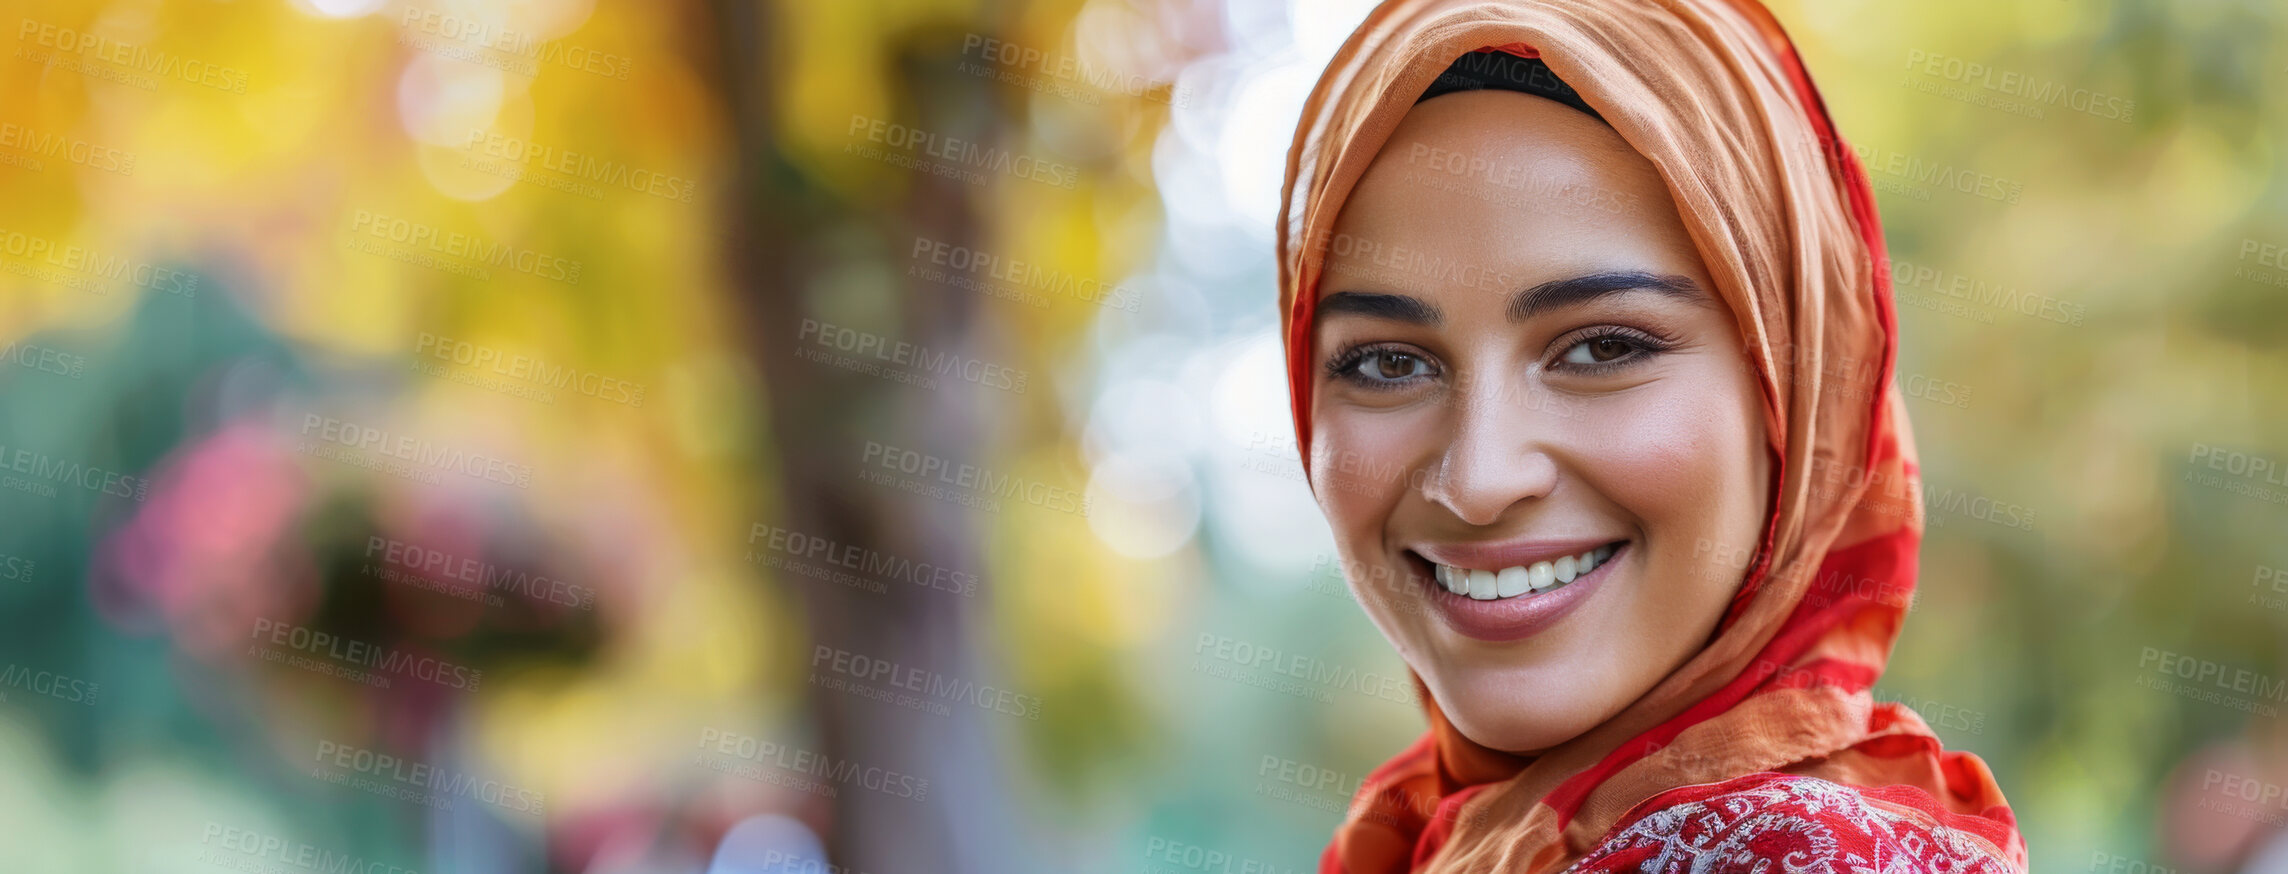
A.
pixel 1715 95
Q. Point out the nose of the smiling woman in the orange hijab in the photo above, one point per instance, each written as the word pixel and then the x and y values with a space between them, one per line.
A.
pixel 1497 454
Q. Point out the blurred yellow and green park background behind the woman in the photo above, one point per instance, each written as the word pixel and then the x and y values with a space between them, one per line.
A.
pixel 598 436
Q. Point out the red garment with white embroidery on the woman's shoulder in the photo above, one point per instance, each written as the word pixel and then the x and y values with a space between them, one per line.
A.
pixel 1809 823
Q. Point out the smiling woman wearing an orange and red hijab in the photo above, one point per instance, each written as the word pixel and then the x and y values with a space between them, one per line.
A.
pixel 1591 353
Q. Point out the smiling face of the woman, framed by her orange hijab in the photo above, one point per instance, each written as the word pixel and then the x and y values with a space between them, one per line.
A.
pixel 1523 372
